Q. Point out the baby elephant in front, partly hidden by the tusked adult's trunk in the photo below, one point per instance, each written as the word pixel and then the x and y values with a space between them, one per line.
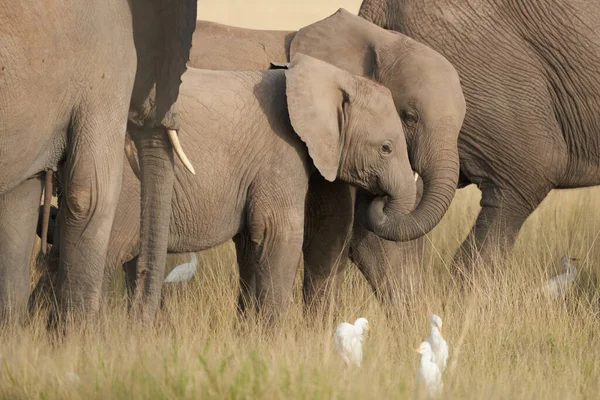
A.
pixel 255 138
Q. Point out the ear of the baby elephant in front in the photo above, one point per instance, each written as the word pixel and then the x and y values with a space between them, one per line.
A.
pixel 317 93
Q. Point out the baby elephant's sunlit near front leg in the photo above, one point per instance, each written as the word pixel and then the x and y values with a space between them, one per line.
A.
pixel 275 247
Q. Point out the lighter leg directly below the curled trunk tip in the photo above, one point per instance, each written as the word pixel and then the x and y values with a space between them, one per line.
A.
pixel 390 267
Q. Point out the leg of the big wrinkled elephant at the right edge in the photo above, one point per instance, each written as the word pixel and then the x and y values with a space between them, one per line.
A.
pixel 492 237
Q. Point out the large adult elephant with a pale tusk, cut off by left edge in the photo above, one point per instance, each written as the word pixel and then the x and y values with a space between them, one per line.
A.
pixel 69 85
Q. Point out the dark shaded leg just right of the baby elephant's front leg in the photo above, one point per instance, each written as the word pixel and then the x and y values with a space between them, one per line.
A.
pixel 329 218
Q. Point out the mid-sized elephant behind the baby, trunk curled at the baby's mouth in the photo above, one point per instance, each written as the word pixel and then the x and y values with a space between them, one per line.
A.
pixel 429 100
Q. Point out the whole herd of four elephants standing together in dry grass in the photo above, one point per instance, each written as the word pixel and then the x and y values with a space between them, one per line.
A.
pixel 301 145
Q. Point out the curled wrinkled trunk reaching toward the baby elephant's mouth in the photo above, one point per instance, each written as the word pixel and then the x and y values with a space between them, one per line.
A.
pixel 439 185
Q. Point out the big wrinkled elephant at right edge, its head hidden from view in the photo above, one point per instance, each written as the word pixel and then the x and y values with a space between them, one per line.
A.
pixel 531 76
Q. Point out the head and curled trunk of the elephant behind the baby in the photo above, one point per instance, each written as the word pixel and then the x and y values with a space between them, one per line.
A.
pixel 428 98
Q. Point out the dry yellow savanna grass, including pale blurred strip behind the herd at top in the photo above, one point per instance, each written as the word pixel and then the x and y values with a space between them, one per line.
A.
pixel 505 340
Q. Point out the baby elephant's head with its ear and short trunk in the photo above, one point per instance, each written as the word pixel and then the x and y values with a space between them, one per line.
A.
pixel 351 129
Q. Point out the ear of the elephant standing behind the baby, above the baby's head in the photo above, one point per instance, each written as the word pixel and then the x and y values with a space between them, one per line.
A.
pixel 344 40
